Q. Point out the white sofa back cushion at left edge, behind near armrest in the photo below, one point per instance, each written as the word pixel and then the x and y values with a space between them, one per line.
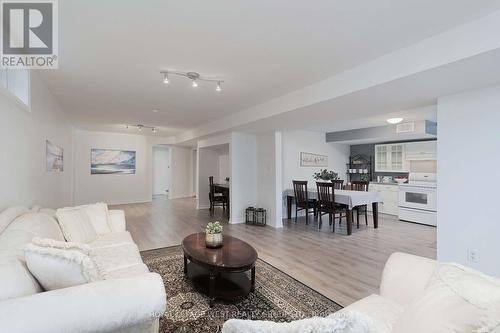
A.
pixel 15 278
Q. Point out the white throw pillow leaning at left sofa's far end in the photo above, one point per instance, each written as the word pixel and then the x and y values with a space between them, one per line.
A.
pixel 75 225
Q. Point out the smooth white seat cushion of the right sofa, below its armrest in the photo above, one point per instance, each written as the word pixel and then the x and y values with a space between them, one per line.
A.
pixel 382 311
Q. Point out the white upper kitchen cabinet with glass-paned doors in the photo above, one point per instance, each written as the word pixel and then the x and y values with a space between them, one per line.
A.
pixel 390 158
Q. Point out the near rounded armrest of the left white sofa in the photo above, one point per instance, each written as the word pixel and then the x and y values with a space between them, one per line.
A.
pixel 101 306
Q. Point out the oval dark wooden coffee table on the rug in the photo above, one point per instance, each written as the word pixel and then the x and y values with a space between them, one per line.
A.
pixel 220 273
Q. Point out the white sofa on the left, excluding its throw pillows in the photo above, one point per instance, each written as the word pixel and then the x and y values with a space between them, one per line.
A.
pixel 128 299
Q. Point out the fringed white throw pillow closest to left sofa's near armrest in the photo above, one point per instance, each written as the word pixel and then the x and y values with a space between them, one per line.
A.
pixel 59 268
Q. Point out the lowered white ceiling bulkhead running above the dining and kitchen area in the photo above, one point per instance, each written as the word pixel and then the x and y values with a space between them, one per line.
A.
pixel 413 98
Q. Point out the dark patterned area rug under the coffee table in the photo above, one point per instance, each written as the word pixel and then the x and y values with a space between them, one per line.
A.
pixel 277 297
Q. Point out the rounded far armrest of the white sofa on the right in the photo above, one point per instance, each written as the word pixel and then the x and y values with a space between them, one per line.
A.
pixel 405 277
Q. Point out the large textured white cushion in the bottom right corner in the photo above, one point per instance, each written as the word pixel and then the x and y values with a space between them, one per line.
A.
pixel 457 299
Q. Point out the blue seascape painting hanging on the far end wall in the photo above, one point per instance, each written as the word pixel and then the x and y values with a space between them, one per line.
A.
pixel 108 161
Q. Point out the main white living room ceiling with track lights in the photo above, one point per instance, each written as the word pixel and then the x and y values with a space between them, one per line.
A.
pixel 111 52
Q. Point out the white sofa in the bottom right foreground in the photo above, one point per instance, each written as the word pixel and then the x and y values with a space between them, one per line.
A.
pixel 407 303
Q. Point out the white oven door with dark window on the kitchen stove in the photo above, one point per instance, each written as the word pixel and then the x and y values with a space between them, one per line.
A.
pixel 418 197
